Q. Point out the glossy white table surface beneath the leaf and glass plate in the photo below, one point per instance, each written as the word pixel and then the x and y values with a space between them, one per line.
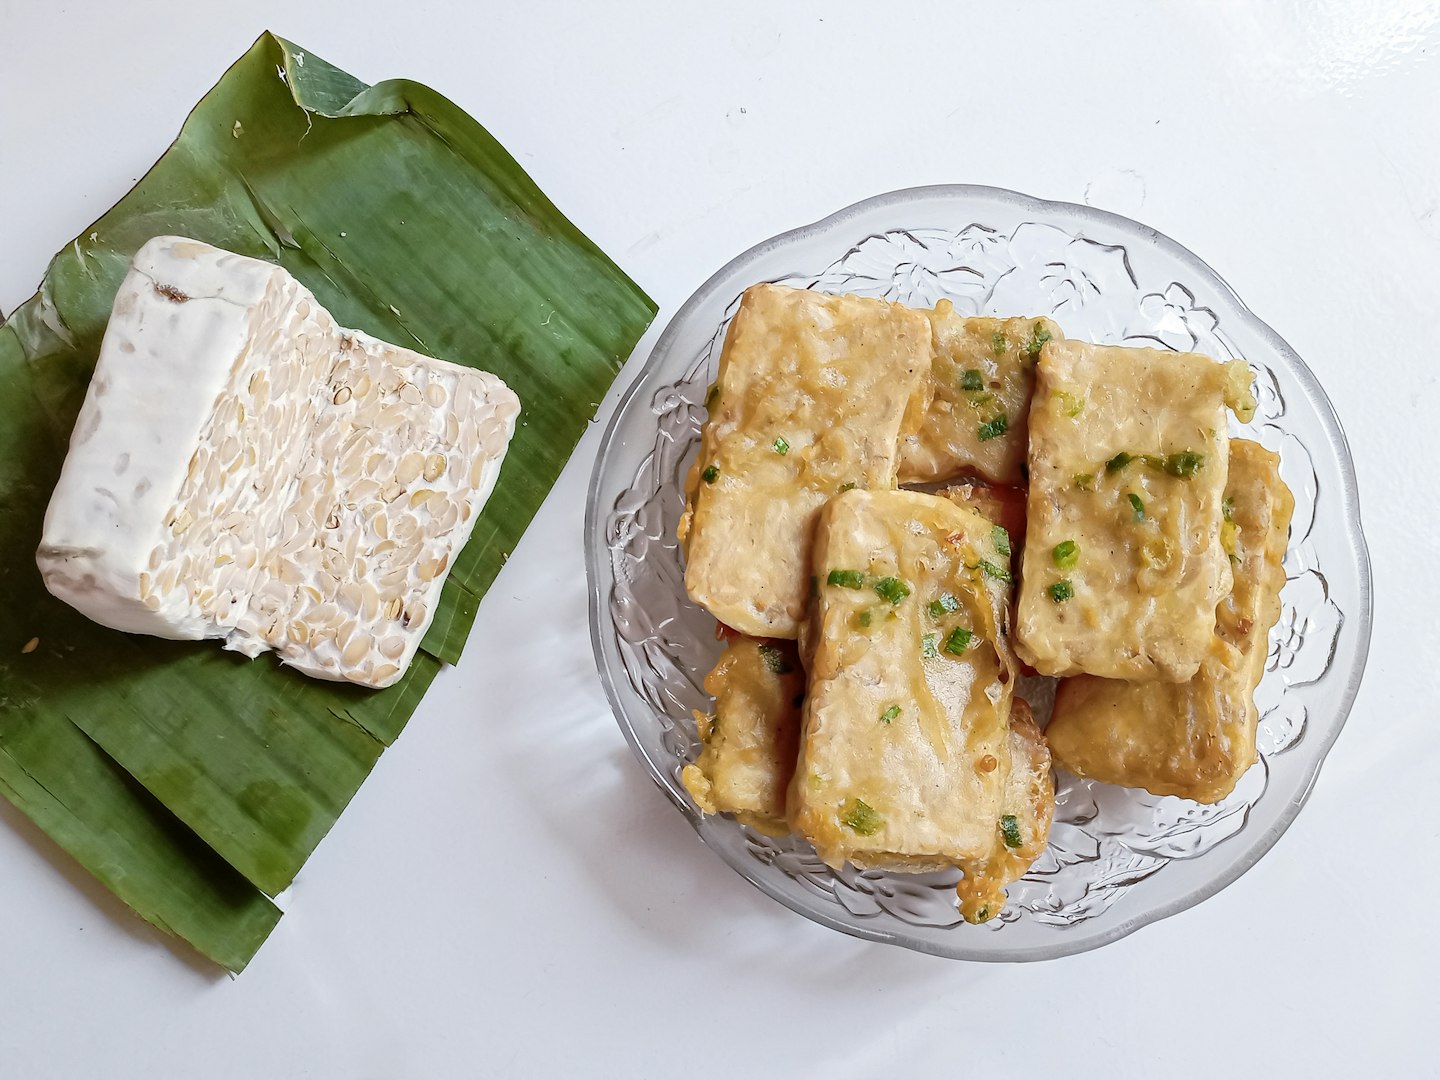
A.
pixel 509 895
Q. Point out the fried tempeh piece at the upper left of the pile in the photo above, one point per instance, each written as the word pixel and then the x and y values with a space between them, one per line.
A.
pixel 810 401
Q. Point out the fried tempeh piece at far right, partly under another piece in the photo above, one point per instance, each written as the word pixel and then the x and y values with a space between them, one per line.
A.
pixel 1193 739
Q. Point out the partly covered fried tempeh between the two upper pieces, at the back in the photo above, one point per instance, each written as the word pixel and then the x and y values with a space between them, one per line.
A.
pixel 983 377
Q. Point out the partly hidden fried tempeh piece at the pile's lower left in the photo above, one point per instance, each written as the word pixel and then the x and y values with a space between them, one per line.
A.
pixel 750 742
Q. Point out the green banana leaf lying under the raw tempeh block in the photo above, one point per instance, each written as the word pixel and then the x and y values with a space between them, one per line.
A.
pixel 410 222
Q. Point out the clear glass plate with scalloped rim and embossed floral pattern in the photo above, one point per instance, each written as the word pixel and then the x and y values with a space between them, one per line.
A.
pixel 1118 859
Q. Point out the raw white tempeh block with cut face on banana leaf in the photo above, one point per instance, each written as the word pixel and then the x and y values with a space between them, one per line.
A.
pixel 244 469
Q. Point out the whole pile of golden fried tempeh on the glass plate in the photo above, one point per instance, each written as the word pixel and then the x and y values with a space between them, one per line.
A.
pixel 891 734
